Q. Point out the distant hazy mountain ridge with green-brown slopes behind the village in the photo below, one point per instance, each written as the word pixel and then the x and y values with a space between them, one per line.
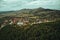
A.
pixel 44 13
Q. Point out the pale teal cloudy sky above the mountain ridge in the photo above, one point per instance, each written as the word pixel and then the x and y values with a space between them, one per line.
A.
pixel 9 5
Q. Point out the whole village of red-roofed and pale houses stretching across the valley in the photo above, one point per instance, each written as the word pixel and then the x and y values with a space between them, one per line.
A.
pixel 23 20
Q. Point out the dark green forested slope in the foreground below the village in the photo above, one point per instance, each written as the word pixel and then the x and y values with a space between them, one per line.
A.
pixel 43 31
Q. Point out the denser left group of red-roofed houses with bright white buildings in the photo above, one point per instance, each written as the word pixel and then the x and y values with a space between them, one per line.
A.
pixel 17 20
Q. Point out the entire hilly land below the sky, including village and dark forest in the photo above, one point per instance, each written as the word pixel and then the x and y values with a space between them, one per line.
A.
pixel 30 24
